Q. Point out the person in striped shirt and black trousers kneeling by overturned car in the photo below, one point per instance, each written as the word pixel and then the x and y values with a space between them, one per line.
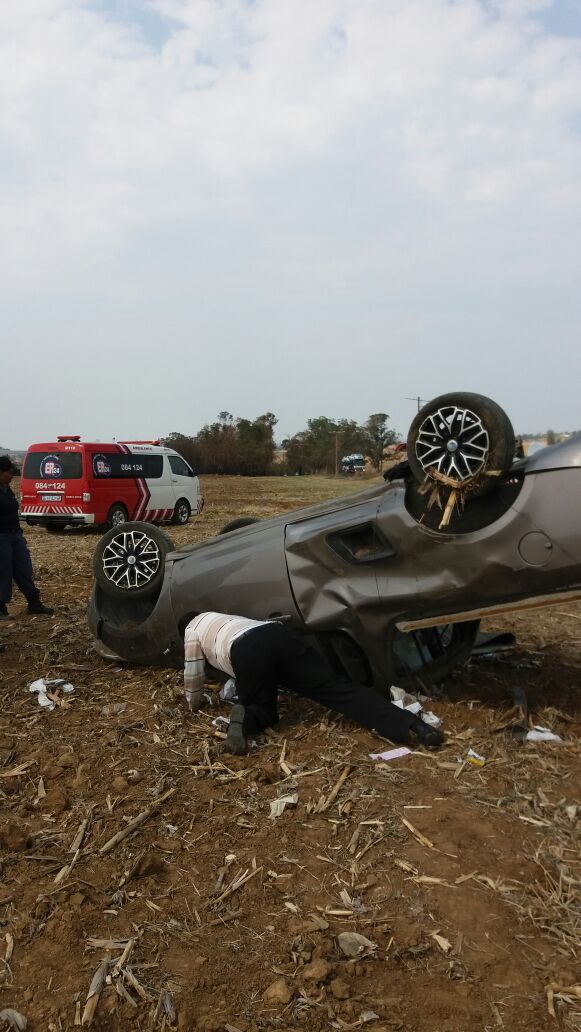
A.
pixel 263 656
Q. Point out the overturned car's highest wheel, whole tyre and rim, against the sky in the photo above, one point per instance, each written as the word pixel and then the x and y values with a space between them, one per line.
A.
pixel 462 438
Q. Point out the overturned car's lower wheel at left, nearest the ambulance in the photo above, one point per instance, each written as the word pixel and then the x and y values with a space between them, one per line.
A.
pixel 130 562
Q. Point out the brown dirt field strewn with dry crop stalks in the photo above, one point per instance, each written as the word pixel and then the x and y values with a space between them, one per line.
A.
pixel 211 915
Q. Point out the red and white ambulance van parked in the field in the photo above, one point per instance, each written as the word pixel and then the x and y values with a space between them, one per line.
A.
pixel 74 483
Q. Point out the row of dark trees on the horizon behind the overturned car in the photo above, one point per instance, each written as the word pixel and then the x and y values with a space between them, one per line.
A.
pixel 248 448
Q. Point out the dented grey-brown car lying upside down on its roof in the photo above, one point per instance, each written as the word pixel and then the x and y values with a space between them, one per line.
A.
pixel 392 583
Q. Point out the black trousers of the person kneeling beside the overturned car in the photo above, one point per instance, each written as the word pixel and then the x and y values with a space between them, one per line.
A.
pixel 277 655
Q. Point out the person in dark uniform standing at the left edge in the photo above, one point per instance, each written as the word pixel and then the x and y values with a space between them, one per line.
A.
pixel 16 564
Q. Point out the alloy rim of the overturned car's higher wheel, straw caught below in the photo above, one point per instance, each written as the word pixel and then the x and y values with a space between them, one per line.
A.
pixel 453 442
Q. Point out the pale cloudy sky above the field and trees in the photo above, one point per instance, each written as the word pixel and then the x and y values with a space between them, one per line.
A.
pixel 309 209
